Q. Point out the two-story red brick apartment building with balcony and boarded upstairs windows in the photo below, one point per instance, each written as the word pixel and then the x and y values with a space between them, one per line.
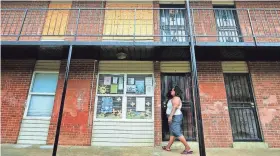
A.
pixel 124 56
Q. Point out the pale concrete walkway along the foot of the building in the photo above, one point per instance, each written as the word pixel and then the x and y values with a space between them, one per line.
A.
pixel 16 150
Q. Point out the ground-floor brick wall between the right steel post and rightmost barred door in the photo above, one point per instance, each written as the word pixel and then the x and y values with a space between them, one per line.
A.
pixel 214 107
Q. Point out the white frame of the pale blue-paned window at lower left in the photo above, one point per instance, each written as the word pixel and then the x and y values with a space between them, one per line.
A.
pixel 30 93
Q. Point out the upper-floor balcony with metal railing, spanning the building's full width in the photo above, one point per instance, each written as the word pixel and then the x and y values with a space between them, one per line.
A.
pixel 139 26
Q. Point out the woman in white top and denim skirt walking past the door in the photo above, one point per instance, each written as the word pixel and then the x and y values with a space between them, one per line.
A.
pixel 175 118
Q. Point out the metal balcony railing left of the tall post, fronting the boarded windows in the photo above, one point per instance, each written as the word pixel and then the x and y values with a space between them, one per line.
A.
pixel 98 24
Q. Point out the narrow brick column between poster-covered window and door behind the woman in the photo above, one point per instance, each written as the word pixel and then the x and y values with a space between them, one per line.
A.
pixel 157 105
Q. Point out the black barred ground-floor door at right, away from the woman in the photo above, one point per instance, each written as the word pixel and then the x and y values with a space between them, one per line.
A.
pixel 242 108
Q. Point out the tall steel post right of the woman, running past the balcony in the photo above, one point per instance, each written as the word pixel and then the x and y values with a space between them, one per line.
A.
pixel 195 86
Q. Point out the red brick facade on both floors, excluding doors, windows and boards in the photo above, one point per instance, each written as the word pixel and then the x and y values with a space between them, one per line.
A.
pixel 77 120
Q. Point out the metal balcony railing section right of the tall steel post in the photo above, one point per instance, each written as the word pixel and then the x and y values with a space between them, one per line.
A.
pixel 230 25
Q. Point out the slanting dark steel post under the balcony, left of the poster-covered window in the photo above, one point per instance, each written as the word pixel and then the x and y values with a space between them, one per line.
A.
pixel 62 101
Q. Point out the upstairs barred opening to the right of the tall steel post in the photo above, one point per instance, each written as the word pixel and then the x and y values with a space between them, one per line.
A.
pixel 227 25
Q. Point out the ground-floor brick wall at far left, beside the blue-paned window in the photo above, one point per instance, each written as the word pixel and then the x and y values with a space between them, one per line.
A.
pixel 15 82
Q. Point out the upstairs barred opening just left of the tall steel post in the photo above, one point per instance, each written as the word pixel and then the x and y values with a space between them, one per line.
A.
pixel 173 23
